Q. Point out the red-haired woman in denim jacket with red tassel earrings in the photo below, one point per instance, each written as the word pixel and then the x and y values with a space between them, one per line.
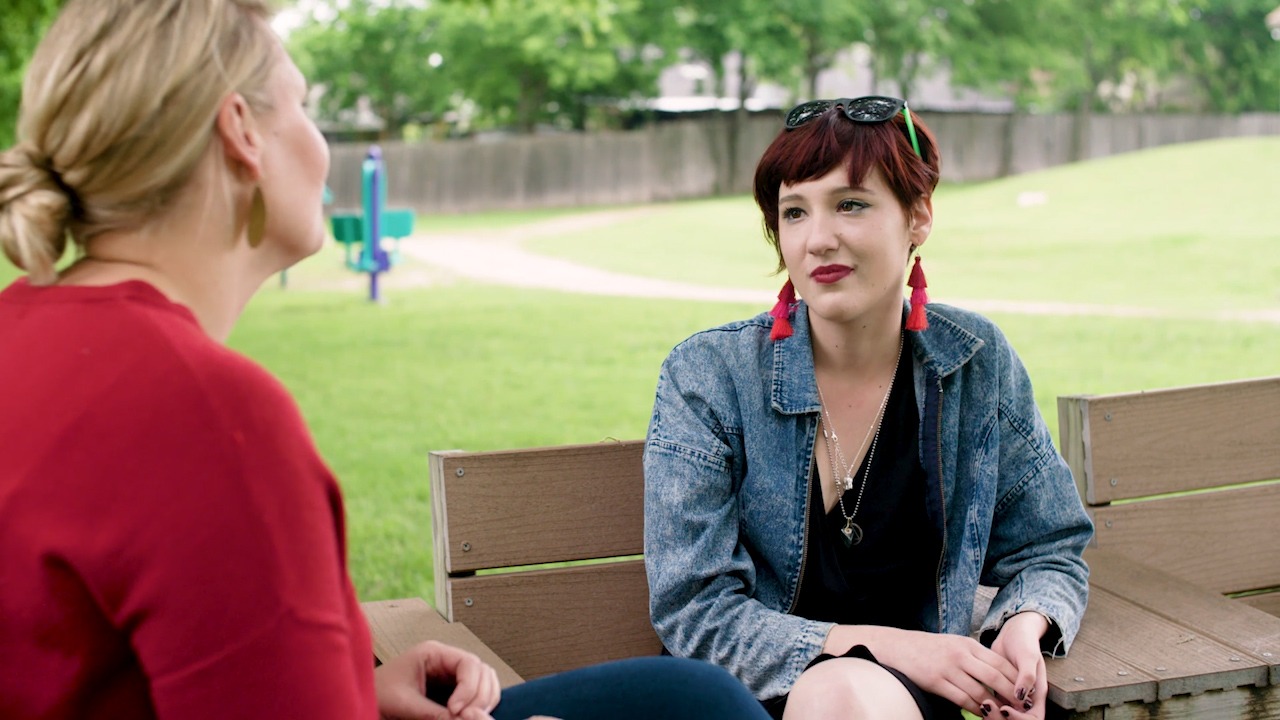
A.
pixel 829 484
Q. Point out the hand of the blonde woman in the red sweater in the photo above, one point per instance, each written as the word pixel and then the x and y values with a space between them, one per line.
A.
pixel 403 685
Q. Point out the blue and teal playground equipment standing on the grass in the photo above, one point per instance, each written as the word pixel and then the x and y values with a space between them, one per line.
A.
pixel 373 226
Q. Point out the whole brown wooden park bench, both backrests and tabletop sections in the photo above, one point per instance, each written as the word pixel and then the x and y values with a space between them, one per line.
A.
pixel 1159 641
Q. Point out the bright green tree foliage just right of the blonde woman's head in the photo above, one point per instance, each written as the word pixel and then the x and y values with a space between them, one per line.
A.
pixel 518 63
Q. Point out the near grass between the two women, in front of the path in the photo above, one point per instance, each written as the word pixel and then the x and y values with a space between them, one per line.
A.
pixel 469 367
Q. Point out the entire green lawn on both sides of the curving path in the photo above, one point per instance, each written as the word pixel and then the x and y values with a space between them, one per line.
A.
pixel 1187 230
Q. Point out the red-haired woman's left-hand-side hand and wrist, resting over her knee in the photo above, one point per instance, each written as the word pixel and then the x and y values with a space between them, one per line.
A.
pixel 952 667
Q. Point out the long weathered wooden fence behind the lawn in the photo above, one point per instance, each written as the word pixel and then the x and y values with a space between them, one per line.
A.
pixel 687 160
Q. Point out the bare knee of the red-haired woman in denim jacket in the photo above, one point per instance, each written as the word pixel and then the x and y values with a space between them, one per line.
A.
pixel 849 689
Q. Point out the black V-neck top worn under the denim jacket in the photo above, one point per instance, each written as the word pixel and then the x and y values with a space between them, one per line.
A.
pixel 890 577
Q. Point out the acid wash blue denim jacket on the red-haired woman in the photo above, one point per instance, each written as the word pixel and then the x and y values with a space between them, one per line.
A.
pixel 728 464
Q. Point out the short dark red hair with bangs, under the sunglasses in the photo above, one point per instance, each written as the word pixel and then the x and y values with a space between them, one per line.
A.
pixel 831 140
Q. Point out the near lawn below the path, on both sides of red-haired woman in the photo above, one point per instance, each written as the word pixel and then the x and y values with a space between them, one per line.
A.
pixel 482 368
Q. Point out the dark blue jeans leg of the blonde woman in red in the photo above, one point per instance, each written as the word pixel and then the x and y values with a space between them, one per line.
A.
pixel 642 689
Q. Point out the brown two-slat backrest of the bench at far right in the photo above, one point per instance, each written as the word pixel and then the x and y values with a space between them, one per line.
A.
pixel 1160 473
